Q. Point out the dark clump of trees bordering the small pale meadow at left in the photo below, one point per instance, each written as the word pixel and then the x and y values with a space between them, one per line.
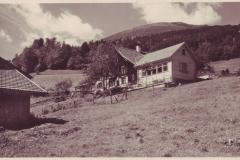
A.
pixel 51 54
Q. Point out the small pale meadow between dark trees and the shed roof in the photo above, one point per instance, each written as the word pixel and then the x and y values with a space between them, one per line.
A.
pixel 49 78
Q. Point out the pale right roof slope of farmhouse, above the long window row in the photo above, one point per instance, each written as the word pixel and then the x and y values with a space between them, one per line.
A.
pixel 159 55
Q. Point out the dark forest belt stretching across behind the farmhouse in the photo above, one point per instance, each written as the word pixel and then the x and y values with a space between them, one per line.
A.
pixel 208 43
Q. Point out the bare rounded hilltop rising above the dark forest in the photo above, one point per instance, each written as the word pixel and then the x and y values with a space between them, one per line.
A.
pixel 149 29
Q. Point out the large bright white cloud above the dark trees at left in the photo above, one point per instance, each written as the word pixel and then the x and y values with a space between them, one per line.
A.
pixel 65 27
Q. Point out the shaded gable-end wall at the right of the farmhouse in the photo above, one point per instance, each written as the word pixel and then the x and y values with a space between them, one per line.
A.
pixel 178 58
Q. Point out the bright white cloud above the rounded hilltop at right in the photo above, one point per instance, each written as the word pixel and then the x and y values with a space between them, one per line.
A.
pixel 192 13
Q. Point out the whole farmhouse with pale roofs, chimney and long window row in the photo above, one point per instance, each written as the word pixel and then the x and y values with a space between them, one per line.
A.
pixel 172 64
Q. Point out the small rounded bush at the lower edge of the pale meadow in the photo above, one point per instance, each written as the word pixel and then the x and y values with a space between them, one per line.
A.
pixel 63 87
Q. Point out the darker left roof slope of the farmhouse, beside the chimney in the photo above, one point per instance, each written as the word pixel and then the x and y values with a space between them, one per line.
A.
pixel 129 54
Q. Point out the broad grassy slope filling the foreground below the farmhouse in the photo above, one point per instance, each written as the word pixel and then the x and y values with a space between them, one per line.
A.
pixel 198 119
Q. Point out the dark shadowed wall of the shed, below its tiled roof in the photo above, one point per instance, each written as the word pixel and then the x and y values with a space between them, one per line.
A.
pixel 14 109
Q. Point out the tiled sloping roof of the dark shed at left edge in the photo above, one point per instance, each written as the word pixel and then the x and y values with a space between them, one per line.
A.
pixel 12 80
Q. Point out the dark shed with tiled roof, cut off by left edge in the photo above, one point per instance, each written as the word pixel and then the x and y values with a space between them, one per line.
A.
pixel 16 87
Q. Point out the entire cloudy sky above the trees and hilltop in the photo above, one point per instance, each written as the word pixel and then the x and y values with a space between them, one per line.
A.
pixel 75 23
